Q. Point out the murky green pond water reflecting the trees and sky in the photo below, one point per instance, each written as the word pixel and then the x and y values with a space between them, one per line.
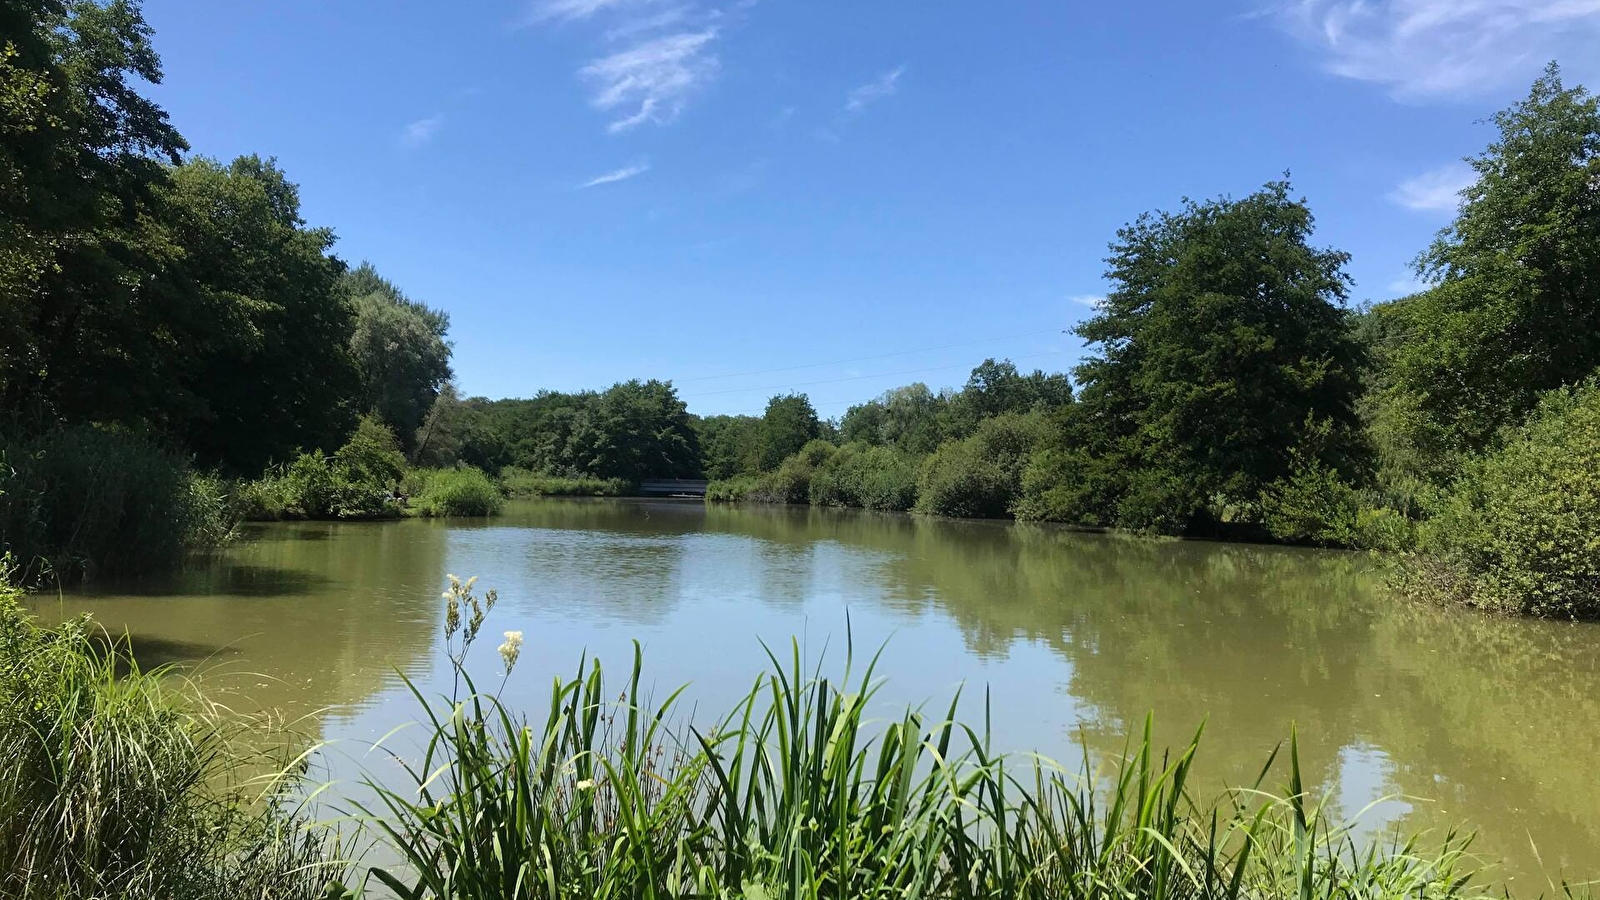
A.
pixel 1425 717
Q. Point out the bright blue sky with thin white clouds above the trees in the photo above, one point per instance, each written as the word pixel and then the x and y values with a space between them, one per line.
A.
pixel 838 198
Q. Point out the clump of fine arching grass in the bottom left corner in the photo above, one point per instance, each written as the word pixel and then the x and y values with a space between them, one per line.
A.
pixel 124 784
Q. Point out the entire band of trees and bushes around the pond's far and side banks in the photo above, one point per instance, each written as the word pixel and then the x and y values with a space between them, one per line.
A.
pixel 180 311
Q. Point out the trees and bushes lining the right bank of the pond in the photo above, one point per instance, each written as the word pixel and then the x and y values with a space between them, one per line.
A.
pixel 1234 392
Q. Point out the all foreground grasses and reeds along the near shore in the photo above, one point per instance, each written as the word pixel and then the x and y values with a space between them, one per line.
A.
pixel 794 792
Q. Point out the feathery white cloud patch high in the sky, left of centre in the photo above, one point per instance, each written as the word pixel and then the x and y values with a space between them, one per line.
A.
pixel 652 81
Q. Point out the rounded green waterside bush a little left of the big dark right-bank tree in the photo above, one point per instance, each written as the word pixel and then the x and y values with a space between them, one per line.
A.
pixel 980 476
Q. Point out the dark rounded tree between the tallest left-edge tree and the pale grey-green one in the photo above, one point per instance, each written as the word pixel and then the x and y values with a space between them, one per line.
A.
pixel 271 371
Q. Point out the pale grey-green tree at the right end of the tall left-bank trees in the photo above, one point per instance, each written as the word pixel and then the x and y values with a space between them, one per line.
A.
pixel 401 352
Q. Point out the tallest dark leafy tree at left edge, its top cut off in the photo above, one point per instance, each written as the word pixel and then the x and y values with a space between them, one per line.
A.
pixel 81 161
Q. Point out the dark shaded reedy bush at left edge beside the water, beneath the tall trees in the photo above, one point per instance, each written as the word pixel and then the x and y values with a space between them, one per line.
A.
pixel 84 502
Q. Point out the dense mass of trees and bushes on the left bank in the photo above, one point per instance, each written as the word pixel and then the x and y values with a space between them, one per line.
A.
pixel 182 300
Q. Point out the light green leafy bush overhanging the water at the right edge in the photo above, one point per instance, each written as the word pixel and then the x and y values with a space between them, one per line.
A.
pixel 1521 529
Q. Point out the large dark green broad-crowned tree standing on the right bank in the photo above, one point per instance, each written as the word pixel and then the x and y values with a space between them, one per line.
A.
pixel 1225 355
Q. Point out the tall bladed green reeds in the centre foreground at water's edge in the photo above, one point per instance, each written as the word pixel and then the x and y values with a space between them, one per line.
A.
pixel 799 794
